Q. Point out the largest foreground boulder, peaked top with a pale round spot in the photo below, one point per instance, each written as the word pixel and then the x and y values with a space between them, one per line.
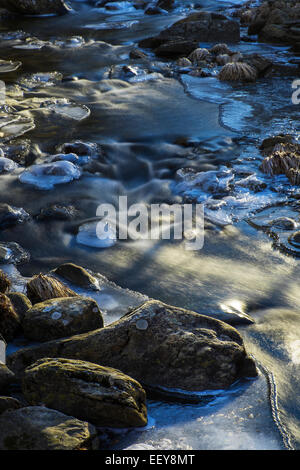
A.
pixel 158 345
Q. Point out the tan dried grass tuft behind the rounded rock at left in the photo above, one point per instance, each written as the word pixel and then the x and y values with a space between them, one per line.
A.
pixel 43 287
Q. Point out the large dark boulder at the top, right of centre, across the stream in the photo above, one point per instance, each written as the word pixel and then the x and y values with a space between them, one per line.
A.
pixel 187 33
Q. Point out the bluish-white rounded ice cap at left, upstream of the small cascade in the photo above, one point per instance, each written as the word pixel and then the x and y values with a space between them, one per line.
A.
pixel 48 175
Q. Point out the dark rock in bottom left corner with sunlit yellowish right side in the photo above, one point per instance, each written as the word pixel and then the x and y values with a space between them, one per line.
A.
pixel 39 428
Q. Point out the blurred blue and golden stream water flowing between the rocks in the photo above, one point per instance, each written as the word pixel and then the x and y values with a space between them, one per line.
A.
pixel 70 87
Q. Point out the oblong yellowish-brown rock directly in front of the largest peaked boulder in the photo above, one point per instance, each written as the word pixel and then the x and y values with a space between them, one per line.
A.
pixel 100 395
